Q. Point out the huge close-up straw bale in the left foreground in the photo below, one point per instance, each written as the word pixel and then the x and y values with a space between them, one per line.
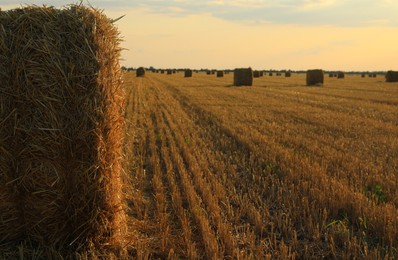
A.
pixel 61 133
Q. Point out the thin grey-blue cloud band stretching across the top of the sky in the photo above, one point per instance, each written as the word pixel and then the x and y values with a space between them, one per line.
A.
pixel 345 13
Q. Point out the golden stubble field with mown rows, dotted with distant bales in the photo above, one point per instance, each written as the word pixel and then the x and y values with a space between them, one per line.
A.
pixel 278 170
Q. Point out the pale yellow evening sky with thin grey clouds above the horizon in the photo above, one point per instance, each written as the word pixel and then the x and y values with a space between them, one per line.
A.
pixel 349 35
